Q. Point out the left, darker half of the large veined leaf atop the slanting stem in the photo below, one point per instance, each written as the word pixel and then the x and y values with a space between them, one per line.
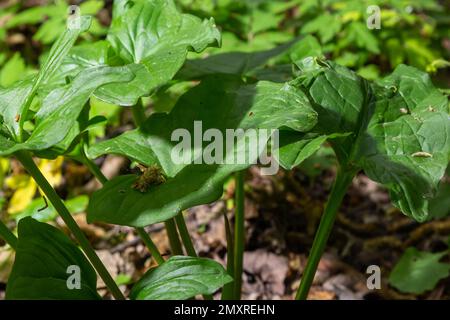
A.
pixel 342 99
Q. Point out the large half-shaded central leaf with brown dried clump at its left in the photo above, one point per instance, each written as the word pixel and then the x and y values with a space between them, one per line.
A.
pixel 265 105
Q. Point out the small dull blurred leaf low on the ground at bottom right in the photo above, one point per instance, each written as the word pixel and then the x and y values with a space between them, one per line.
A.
pixel 418 271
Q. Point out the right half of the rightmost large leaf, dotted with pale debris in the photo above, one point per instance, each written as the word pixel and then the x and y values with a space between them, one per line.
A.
pixel 407 144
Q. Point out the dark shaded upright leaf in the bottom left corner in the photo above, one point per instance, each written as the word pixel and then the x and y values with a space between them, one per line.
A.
pixel 43 257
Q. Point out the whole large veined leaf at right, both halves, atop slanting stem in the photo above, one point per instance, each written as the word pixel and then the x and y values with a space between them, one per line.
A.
pixel 397 130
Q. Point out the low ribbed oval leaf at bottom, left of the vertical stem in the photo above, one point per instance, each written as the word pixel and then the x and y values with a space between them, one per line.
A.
pixel 181 278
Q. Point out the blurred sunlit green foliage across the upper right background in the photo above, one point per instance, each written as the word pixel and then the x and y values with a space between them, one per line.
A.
pixel 411 31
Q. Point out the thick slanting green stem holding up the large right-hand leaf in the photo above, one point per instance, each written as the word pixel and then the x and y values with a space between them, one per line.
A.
pixel 341 184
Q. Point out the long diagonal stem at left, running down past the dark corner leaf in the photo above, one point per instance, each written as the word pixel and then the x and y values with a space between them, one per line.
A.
pixel 28 163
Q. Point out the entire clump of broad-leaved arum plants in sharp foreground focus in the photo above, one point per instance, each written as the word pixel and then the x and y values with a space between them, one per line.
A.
pixel 396 130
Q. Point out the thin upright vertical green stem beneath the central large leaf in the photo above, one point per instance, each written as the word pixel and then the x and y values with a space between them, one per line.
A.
pixel 239 234
